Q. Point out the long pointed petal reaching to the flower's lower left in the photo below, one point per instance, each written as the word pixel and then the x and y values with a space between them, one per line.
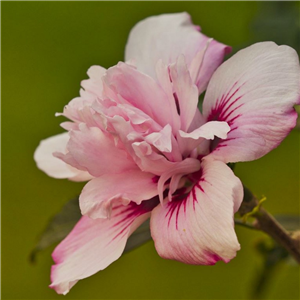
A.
pixel 94 244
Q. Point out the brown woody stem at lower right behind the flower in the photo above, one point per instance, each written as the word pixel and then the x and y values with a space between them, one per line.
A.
pixel 268 224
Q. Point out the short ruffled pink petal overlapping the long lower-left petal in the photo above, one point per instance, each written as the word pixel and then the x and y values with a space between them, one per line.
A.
pixel 98 195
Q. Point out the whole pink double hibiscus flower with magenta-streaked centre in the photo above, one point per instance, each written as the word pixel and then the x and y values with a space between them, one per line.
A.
pixel 137 135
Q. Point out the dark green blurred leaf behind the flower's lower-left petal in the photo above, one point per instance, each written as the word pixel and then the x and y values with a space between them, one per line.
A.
pixel 58 227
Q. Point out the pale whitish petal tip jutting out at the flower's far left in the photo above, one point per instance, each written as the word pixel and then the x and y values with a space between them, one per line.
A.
pixel 53 166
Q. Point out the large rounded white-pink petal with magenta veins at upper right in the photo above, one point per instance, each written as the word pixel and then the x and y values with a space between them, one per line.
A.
pixel 254 92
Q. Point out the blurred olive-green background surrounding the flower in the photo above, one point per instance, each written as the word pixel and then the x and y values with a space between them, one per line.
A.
pixel 47 47
